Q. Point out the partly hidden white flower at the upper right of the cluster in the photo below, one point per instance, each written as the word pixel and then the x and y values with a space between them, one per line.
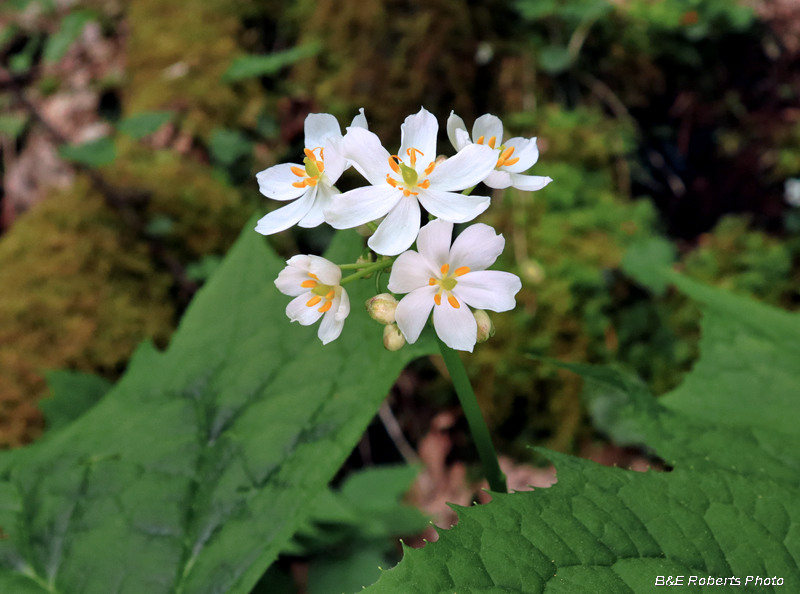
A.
pixel 516 155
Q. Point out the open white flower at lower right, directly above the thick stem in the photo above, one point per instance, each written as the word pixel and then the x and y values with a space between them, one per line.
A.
pixel 448 279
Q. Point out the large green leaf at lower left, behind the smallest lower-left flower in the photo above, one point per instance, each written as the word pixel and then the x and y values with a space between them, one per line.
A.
pixel 197 468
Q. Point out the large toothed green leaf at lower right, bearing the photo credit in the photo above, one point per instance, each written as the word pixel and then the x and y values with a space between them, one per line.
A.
pixel 730 508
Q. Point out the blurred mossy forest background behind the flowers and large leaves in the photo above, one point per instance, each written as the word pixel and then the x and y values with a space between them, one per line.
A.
pixel 131 132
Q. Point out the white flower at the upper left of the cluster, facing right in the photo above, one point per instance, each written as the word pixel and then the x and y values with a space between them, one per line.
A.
pixel 312 182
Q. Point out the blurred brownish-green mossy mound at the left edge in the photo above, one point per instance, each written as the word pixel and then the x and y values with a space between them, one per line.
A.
pixel 78 293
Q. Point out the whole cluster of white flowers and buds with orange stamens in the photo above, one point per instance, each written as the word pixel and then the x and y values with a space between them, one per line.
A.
pixel 437 276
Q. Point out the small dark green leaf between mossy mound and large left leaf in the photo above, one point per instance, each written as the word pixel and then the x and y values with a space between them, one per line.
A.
pixel 73 394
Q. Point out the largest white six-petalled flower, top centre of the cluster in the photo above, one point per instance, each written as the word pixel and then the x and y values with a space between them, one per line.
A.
pixel 400 183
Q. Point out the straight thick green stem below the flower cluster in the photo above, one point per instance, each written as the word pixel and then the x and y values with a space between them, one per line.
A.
pixel 480 432
